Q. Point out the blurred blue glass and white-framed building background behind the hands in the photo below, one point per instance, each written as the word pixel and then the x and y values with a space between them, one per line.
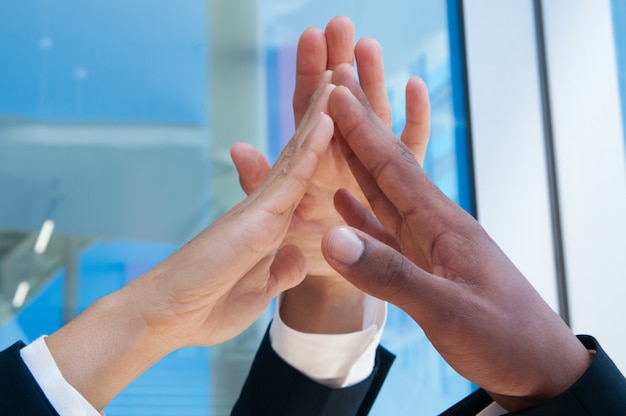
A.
pixel 116 119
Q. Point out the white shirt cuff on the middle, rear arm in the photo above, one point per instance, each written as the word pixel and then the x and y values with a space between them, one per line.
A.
pixel 334 360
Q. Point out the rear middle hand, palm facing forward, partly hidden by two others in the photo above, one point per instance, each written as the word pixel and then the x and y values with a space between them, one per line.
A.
pixel 324 296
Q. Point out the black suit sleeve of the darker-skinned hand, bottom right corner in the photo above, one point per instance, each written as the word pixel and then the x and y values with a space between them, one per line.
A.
pixel 600 391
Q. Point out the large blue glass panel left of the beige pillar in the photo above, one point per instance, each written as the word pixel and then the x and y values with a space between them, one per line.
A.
pixel 103 132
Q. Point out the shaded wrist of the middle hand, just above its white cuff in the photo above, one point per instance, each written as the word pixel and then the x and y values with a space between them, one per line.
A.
pixel 323 305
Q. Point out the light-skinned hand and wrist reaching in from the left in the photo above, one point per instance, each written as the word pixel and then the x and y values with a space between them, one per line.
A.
pixel 208 291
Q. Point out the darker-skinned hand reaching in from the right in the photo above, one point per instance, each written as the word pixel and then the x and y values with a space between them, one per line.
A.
pixel 426 255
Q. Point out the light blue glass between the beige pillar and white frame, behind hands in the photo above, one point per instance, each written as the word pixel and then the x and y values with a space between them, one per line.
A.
pixel 421 39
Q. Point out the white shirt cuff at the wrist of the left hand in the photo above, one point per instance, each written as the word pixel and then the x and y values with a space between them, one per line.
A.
pixel 65 399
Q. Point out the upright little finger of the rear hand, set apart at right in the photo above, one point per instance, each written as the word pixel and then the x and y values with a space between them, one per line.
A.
pixel 417 129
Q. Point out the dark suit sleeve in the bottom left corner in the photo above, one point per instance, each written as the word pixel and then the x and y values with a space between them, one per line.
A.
pixel 19 392
